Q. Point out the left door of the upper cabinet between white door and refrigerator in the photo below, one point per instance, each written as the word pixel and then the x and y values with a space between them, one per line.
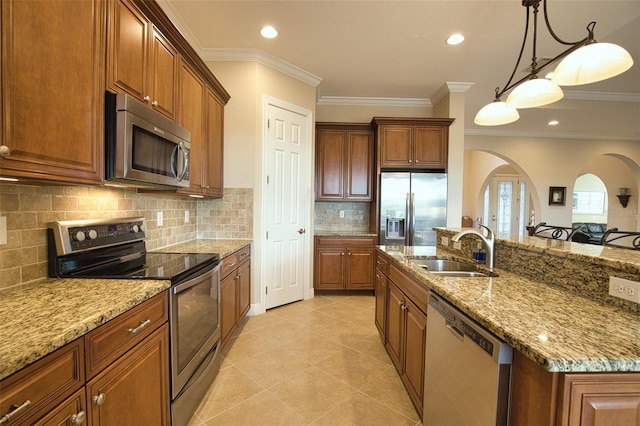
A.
pixel 330 151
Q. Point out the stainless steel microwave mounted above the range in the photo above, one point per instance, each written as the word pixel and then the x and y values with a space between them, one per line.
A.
pixel 142 147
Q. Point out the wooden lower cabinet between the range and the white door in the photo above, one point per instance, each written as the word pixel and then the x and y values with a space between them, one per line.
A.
pixel 235 291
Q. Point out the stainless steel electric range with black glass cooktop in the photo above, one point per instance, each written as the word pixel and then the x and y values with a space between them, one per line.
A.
pixel 115 248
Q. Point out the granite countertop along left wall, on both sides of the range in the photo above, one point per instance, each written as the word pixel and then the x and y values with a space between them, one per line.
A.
pixel 40 317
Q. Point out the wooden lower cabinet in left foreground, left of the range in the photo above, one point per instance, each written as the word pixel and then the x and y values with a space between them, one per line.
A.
pixel 128 376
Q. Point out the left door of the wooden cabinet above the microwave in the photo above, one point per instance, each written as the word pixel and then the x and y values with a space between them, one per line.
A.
pixel 127 71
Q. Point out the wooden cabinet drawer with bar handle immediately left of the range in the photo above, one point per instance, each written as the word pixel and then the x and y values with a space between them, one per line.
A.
pixel 108 342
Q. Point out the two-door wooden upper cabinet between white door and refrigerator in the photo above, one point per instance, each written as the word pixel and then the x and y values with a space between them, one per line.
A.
pixel 344 162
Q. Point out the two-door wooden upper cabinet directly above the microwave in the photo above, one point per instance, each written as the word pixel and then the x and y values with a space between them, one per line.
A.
pixel 141 61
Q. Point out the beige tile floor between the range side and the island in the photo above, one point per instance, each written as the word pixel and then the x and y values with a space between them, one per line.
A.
pixel 315 362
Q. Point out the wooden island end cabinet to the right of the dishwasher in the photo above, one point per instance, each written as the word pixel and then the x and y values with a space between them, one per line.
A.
pixel 539 397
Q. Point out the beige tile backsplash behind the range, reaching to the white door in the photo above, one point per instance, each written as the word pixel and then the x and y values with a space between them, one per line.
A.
pixel 28 209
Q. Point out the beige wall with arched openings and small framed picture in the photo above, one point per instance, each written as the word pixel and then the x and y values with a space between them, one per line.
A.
pixel 546 162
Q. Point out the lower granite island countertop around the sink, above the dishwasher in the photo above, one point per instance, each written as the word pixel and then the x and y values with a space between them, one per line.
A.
pixel 561 331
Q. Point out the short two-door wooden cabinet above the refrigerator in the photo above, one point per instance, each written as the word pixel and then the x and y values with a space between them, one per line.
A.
pixel 412 143
